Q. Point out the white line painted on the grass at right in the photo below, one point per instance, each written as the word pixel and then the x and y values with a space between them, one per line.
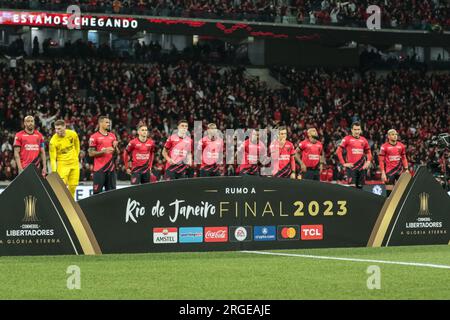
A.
pixel 414 264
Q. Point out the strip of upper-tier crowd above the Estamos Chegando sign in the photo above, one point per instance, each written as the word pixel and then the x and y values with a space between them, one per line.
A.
pixel 404 14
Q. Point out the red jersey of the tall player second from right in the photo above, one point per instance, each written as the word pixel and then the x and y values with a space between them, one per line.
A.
pixel 357 149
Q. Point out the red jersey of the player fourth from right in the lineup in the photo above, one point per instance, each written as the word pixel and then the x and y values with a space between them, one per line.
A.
pixel 283 161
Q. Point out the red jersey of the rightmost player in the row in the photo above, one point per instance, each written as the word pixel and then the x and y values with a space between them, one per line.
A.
pixel 394 156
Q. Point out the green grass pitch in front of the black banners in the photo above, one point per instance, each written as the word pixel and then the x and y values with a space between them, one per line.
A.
pixel 231 275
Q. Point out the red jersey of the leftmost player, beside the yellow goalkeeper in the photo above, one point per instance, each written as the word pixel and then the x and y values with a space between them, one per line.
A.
pixel 30 147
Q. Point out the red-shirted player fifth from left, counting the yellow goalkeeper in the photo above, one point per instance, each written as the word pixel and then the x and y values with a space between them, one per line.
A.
pixel 178 153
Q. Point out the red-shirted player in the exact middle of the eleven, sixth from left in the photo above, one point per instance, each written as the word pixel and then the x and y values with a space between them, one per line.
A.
pixel 211 148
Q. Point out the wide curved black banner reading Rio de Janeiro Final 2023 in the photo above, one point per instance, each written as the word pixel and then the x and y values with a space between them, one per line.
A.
pixel 231 213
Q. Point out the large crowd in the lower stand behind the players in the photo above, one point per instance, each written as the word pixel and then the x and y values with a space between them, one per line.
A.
pixel 162 92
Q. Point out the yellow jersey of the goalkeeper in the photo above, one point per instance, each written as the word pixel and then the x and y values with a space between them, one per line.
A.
pixel 64 151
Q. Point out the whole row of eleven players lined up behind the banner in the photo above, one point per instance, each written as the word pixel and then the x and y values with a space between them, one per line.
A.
pixel 353 152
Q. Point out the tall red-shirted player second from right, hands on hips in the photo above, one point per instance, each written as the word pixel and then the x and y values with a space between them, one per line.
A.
pixel 358 156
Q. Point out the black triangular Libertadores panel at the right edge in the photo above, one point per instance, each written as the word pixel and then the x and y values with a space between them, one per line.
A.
pixel 422 215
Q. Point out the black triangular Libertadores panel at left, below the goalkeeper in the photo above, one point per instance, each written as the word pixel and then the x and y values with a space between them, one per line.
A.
pixel 31 221
